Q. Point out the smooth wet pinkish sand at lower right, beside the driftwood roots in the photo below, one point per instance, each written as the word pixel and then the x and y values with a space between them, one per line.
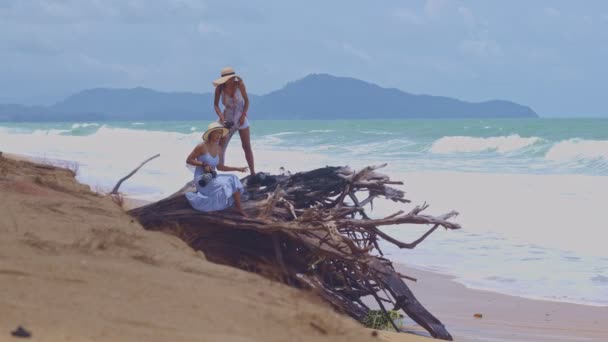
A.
pixel 504 317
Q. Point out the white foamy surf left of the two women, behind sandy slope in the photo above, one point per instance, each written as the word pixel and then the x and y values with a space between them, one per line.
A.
pixel 110 152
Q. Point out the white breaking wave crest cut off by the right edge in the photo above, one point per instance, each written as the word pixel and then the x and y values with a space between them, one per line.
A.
pixel 578 149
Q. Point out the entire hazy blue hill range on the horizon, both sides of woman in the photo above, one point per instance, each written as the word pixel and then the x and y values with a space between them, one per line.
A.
pixel 317 96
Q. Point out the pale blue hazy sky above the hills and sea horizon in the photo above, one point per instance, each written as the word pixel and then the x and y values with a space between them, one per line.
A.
pixel 549 55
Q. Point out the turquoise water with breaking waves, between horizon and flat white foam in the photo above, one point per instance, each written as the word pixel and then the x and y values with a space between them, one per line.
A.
pixel 522 146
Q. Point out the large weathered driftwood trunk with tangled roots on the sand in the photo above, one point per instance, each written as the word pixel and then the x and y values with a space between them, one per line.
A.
pixel 310 230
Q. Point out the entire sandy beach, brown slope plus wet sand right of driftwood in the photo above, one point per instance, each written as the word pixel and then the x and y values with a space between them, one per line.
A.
pixel 75 267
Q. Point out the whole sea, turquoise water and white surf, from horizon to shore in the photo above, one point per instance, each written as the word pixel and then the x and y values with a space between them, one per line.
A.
pixel 531 193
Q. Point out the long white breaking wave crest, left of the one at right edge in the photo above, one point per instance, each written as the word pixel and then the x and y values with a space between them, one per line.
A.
pixel 464 144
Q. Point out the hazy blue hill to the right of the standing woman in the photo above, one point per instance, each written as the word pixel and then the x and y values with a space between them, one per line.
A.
pixel 323 96
